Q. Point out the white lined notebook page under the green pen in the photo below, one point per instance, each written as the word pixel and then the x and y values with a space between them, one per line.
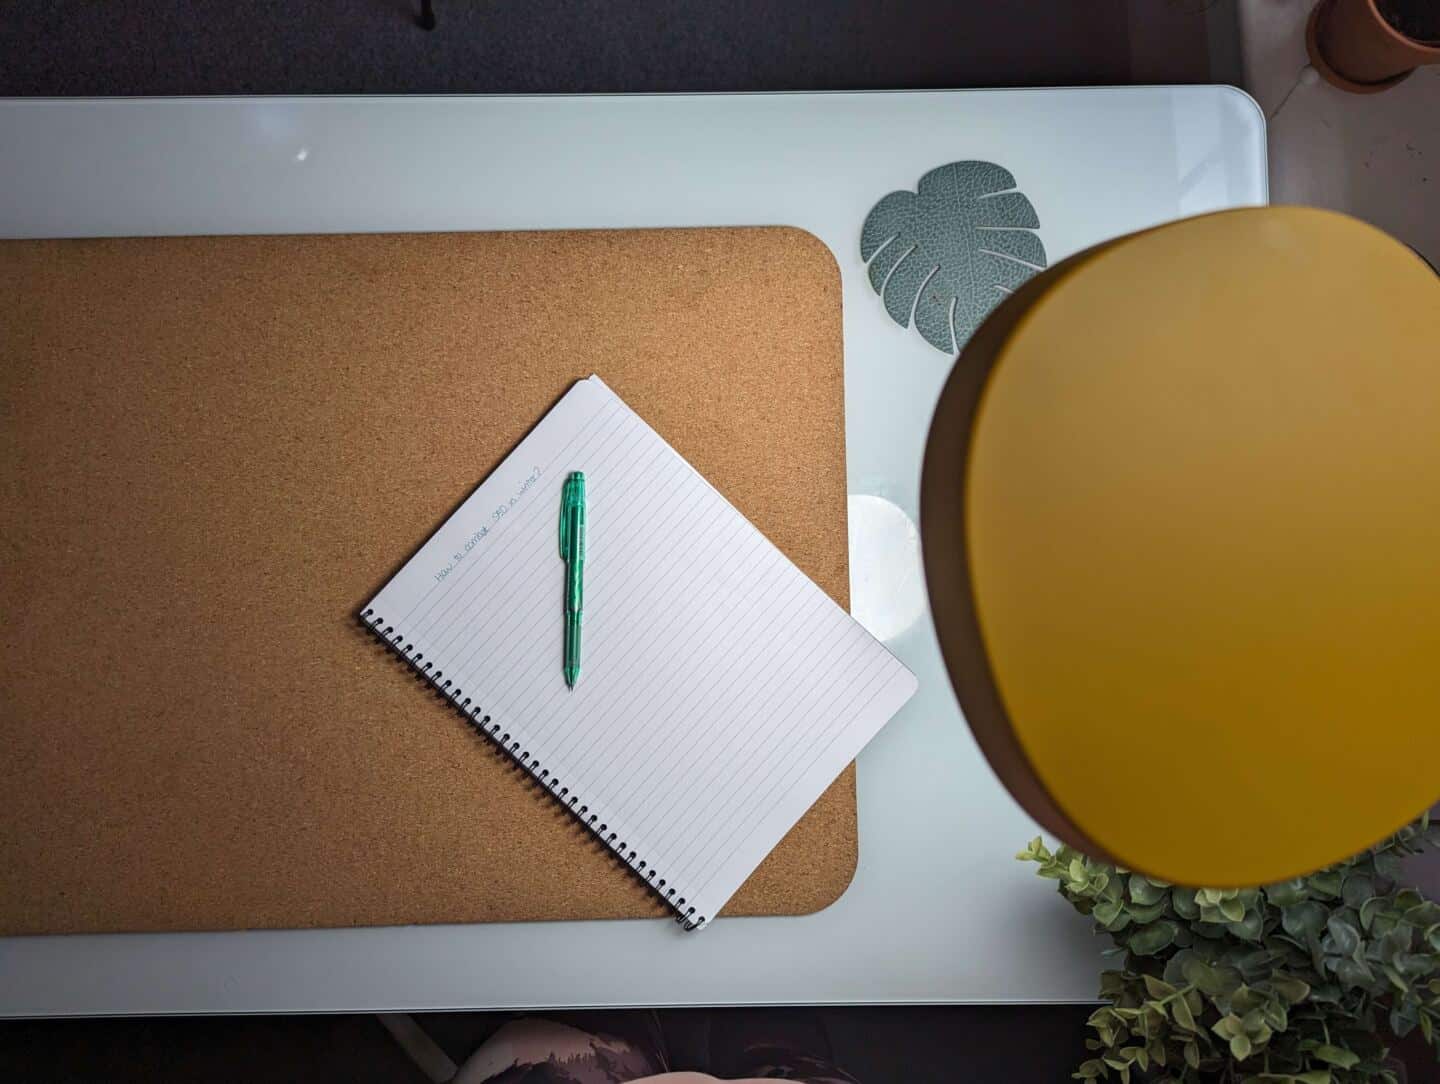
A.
pixel 721 693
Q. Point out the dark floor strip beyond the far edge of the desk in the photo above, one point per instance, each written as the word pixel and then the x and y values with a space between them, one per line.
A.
pixel 546 47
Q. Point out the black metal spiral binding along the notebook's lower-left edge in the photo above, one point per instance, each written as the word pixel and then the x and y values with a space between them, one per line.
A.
pixel 485 725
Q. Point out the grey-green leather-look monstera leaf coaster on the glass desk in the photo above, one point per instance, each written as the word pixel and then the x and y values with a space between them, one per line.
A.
pixel 951 250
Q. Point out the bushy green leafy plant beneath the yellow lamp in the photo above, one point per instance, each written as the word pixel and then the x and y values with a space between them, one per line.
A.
pixel 1294 984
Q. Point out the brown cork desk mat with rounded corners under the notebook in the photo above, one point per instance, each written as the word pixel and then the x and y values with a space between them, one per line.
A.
pixel 214 450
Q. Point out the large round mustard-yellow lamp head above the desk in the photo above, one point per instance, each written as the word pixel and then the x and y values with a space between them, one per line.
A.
pixel 1182 528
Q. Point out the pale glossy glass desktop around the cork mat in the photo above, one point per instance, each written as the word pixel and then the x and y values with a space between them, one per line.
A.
pixel 938 912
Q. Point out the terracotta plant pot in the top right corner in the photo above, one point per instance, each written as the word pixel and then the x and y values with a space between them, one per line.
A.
pixel 1354 48
